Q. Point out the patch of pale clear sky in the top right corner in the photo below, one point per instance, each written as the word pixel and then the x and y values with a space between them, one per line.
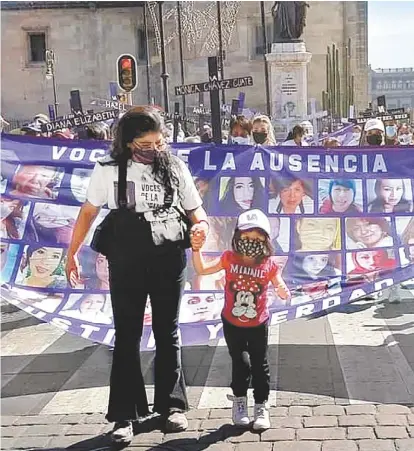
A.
pixel 391 34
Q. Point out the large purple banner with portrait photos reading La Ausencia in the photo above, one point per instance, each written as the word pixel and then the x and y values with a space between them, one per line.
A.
pixel 342 227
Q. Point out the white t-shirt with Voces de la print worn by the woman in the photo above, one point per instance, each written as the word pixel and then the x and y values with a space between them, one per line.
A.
pixel 142 190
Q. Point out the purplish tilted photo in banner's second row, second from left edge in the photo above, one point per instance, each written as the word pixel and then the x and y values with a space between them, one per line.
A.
pixel 52 223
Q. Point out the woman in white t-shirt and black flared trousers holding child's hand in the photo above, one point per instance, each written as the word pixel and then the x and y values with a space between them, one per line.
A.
pixel 146 256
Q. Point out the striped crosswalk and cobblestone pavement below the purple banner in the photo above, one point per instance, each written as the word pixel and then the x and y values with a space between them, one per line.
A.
pixel 340 382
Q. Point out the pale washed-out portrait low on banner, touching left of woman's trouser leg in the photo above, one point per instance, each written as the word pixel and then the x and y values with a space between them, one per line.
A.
pixel 89 307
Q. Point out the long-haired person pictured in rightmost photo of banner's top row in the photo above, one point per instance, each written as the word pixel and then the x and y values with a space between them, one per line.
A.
pixel 390 197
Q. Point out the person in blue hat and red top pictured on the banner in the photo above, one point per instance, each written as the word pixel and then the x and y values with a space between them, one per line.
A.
pixel 341 197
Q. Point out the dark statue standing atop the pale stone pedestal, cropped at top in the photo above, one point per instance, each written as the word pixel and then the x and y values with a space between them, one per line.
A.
pixel 289 20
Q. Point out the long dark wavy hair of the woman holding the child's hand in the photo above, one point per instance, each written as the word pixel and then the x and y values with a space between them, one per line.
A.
pixel 134 124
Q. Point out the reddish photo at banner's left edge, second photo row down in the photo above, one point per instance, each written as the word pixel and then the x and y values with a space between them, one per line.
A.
pixel 13 217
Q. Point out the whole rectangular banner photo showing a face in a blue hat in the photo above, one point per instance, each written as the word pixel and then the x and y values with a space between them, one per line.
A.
pixel 340 196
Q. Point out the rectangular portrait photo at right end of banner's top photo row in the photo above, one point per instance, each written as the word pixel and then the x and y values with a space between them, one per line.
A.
pixel 390 196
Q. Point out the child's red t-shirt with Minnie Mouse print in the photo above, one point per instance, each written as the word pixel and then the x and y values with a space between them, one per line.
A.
pixel 246 298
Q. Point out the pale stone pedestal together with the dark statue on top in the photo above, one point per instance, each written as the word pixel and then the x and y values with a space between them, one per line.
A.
pixel 288 61
